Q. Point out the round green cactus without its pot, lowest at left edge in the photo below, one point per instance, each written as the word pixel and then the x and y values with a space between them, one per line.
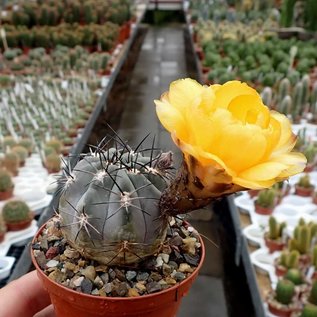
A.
pixel 16 211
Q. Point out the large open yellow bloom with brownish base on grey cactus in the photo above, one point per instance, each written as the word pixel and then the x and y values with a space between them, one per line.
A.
pixel 228 136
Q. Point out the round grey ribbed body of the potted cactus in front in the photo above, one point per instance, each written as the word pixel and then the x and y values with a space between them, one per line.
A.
pixel 109 206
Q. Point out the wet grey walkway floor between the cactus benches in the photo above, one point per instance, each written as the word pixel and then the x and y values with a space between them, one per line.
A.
pixel 162 60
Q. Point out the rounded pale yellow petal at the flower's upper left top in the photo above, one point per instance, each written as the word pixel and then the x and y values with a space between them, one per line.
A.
pixel 183 92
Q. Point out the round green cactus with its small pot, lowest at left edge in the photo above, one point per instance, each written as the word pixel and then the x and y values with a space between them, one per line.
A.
pixel 17 215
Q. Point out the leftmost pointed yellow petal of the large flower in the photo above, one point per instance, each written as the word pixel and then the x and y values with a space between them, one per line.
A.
pixel 171 119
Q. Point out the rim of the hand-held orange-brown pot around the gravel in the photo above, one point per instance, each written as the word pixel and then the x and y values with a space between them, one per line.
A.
pixel 117 299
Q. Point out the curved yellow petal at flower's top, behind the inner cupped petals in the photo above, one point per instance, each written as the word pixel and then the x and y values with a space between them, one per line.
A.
pixel 227 92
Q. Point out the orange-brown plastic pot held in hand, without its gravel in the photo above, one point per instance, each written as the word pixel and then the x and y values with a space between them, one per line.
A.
pixel 74 304
